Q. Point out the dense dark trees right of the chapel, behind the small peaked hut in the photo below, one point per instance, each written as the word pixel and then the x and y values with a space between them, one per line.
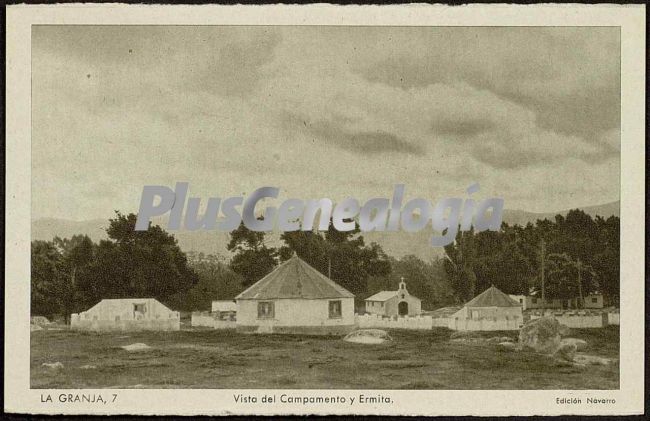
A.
pixel 578 254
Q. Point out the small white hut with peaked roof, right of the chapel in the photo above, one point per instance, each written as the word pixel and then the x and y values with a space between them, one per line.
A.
pixel 490 310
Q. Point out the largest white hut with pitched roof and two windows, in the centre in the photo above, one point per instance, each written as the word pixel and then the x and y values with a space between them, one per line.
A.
pixel 296 298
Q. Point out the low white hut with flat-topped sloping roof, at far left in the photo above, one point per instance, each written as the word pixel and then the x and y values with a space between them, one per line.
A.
pixel 126 314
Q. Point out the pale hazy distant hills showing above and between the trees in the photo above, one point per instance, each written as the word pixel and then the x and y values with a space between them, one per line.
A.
pixel 396 244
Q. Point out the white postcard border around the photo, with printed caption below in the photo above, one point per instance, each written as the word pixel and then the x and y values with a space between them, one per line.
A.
pixel 629 399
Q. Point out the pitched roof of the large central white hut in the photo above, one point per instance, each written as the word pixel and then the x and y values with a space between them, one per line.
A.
pixel 294 279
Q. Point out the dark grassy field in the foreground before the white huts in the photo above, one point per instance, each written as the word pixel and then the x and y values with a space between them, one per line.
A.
pixel 226 359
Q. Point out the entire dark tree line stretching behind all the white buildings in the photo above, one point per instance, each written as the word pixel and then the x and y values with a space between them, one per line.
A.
pixel 70 275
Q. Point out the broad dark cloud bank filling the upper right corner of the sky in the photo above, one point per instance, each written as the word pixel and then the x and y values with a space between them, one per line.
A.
pixel 568 77
